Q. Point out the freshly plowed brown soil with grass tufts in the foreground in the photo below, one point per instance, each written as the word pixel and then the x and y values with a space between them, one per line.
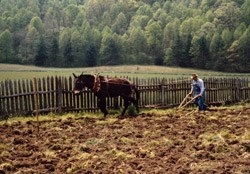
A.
pixel 176 141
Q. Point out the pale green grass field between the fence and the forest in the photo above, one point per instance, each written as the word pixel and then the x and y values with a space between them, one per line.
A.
pixel 14 72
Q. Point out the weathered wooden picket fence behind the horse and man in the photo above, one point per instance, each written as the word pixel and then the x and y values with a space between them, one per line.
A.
pixel 55 94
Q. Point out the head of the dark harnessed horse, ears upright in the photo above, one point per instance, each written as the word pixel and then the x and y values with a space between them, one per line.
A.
pixel 83 81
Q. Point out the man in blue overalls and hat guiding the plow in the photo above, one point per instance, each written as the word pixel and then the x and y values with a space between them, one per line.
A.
pixel 198 89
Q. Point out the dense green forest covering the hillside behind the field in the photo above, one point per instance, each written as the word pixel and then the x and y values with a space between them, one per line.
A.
pixel 203 34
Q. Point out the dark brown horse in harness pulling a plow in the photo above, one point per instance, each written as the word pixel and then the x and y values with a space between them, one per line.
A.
pixel 107 87
